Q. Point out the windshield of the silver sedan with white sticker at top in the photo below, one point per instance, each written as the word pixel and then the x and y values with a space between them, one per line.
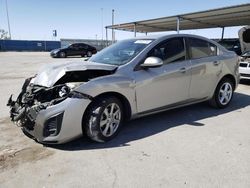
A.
pixel 121 53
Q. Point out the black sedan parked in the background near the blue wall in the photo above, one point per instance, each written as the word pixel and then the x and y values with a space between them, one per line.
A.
pixel 75 49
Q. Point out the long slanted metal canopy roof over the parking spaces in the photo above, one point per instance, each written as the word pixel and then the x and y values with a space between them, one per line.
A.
pixel 223 17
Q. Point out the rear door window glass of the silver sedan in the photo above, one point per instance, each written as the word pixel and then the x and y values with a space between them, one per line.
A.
pixel 200 48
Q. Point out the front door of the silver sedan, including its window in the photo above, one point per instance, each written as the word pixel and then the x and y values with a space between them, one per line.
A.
pixel 167 85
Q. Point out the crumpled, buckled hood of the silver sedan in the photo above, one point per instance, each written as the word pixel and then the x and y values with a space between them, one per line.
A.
pixel 50 74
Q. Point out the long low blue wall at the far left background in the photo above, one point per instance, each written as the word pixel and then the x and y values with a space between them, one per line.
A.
pixel 25 45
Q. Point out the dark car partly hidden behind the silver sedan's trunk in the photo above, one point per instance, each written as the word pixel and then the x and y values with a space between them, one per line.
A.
pixel 231 44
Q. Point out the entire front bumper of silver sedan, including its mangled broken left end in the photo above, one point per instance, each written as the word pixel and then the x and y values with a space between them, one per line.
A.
pixel 49 122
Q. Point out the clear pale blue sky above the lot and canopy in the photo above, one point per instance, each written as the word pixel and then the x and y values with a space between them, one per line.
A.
pixel 86 19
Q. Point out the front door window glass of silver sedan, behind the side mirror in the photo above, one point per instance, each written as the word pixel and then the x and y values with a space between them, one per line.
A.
pixel 169 51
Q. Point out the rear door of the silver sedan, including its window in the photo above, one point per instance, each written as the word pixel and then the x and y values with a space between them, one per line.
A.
pixel 205 67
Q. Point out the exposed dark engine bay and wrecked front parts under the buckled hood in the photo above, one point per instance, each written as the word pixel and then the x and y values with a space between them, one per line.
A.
pixel 34 98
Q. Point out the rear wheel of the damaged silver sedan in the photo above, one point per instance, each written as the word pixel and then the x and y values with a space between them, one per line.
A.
pixel 223 94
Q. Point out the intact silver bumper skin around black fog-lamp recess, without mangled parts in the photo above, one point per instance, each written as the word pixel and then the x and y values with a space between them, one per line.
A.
pixel 70 126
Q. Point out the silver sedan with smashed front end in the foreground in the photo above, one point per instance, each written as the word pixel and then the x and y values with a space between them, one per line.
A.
pixel 129 79
